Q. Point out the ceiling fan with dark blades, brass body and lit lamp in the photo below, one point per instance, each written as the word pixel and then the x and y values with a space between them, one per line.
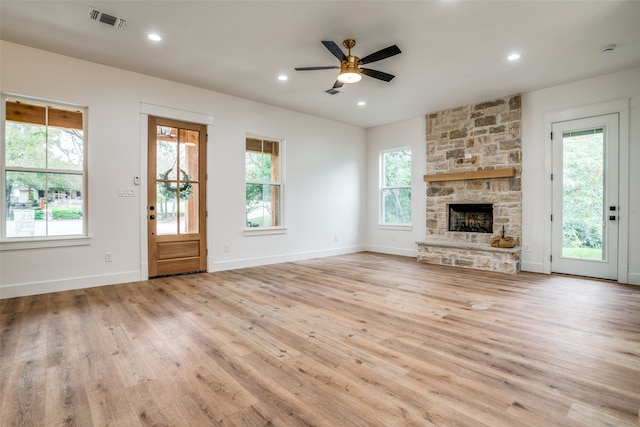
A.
pixel 350 70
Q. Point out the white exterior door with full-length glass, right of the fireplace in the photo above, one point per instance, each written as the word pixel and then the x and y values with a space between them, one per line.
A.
pixel 585 197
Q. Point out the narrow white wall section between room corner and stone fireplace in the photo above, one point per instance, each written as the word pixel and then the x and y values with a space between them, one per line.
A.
pixel 397 240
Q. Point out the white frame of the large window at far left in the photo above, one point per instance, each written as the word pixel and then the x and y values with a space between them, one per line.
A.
pixel 31 242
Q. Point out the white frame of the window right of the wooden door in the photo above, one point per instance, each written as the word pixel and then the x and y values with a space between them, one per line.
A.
pixel 272 229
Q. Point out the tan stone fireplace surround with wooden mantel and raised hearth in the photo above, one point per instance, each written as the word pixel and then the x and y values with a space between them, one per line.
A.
pixel 474 155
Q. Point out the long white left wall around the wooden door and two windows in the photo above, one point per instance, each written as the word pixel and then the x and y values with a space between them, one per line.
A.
pixel 324 183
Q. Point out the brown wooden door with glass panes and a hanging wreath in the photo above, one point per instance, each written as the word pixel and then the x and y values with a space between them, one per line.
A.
pixel 176 211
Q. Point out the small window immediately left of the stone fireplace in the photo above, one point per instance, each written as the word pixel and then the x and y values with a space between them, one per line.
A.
pixel 395 187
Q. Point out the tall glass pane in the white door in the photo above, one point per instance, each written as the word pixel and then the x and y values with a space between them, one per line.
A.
pixel 583 158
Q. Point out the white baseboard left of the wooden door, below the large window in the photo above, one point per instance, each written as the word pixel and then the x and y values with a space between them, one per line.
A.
pixel 25 289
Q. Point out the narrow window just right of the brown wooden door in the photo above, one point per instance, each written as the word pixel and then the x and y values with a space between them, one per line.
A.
pixel 263 183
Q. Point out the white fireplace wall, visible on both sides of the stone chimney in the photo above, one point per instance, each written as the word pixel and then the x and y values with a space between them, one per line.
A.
pixel 535 104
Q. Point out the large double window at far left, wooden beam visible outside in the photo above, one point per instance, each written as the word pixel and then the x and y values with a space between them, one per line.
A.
pixel 43 169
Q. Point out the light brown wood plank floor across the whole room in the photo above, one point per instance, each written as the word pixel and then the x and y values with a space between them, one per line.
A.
pixel 355 340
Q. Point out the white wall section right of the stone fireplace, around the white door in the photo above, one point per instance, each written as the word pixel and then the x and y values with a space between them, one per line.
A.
pixel 625 84
